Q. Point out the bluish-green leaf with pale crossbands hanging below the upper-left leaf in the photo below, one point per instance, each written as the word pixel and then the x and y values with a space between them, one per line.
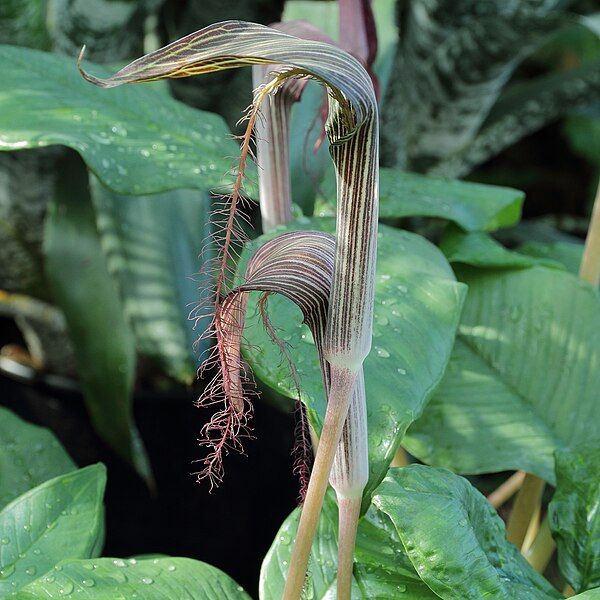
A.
pixel 152 244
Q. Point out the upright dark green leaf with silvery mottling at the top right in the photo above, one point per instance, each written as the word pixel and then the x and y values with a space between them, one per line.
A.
pixel 453 62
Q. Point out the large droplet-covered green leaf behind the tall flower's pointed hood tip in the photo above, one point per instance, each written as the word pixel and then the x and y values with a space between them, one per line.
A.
pixel 137 140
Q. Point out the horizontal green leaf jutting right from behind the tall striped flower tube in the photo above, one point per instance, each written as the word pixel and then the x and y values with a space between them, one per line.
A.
pixel 472 206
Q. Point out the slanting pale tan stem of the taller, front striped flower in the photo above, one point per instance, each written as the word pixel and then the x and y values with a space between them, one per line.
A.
pixel 340 394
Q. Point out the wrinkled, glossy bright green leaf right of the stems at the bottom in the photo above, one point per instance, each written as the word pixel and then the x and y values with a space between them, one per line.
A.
pixel 455 539
